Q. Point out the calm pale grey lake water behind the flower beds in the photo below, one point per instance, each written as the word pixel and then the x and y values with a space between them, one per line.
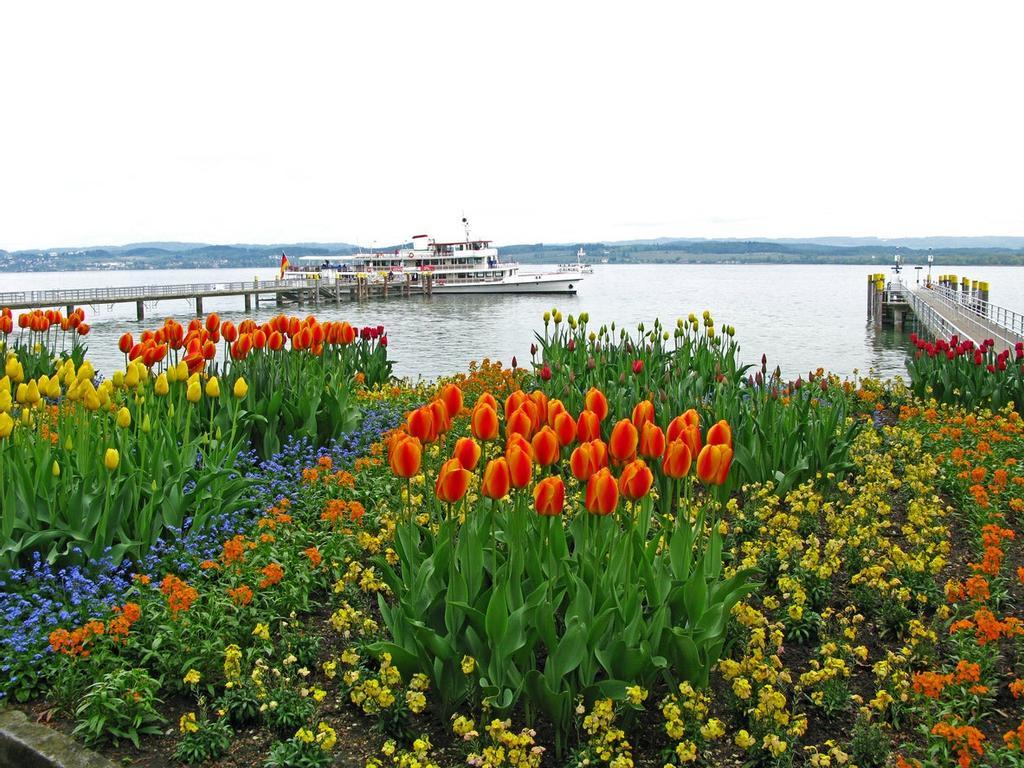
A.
pixel 801 317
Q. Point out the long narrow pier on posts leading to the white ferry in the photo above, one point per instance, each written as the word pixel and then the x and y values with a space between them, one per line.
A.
pixel 294 292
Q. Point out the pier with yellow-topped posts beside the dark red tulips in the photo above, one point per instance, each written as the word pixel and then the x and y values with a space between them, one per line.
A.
pixel 945 309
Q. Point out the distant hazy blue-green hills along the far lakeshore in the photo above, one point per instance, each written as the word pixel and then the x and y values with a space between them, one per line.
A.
pixel 838 250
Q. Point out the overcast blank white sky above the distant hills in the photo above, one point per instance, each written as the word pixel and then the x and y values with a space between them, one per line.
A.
pixel 255 122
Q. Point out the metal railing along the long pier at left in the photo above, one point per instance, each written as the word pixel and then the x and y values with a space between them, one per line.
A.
pixel 145 293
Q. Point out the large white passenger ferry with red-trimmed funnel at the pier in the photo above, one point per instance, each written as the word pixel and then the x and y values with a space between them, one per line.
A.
pixel 465 267
